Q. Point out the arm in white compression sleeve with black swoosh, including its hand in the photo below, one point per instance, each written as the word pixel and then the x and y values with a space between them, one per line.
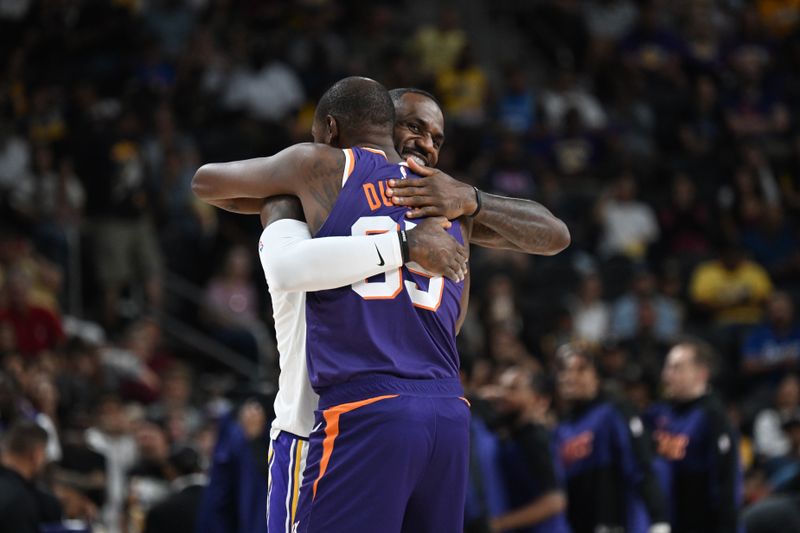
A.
pixel 293 261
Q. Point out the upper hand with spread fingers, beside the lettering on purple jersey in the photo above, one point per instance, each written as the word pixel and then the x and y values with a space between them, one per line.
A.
pixel 435 194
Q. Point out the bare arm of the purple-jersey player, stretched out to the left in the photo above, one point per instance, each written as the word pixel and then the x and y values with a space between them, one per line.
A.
pixel 297 170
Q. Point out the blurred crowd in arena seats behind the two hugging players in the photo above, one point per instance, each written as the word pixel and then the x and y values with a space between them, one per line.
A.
pixel 665 133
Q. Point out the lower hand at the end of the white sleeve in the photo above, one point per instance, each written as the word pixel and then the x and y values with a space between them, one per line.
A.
pixel 437 251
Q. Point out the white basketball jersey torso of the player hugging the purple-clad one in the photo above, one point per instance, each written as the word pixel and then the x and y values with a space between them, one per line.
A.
pixel 296 401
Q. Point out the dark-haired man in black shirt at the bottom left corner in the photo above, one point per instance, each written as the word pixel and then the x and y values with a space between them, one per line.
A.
pixel 23 507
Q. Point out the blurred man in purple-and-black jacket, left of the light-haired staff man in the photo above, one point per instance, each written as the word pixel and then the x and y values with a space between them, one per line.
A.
pixel 611 487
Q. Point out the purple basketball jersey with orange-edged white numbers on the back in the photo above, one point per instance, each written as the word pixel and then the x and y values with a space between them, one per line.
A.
pixel 399 324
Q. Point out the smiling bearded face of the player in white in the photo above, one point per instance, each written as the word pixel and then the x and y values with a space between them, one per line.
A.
pixel 418 129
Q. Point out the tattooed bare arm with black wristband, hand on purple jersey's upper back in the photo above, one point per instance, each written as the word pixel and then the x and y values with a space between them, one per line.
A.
pixel 502 222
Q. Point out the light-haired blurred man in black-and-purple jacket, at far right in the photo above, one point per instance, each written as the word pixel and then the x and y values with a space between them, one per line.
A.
pixel 697 447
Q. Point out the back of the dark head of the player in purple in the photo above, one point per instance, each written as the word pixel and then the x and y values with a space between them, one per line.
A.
pixel 357 103
